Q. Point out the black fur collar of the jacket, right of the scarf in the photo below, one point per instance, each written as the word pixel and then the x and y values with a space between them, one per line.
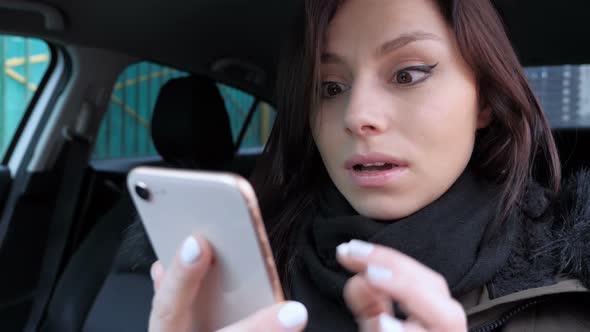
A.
pixel 553 241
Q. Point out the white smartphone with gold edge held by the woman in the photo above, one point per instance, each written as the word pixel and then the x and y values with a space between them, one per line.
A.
pixel 222 207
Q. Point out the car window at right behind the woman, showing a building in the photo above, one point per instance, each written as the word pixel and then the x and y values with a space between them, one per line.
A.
pixel 564 93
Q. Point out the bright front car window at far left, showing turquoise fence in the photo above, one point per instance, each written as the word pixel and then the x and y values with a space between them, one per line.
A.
pixel 24 62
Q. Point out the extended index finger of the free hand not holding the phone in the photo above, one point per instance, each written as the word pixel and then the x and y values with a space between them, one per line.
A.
pixel 422 292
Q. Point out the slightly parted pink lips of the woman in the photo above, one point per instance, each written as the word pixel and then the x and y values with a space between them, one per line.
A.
pixel 375 179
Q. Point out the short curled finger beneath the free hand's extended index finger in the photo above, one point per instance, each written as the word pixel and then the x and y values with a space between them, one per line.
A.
pixel 363 300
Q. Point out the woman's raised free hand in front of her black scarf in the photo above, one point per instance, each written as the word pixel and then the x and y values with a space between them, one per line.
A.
pixel 386 275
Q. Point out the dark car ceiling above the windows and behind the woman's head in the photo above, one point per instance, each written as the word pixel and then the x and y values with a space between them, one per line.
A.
pixel 193 34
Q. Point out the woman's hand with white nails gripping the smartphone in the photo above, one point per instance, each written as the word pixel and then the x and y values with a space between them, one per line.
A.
pixel 176 289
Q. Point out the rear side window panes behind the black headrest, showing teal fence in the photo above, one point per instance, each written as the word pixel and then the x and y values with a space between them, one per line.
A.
pixel 125 129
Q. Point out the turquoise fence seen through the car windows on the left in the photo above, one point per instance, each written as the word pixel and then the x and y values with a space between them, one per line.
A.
pixel 124 131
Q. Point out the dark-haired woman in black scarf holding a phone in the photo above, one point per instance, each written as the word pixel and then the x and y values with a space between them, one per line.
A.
pixel 411 164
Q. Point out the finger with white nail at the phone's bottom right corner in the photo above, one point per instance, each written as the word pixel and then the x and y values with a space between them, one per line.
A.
pixel 288 316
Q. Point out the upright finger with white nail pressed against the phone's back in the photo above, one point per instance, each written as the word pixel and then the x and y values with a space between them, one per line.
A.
pixel 180 285
